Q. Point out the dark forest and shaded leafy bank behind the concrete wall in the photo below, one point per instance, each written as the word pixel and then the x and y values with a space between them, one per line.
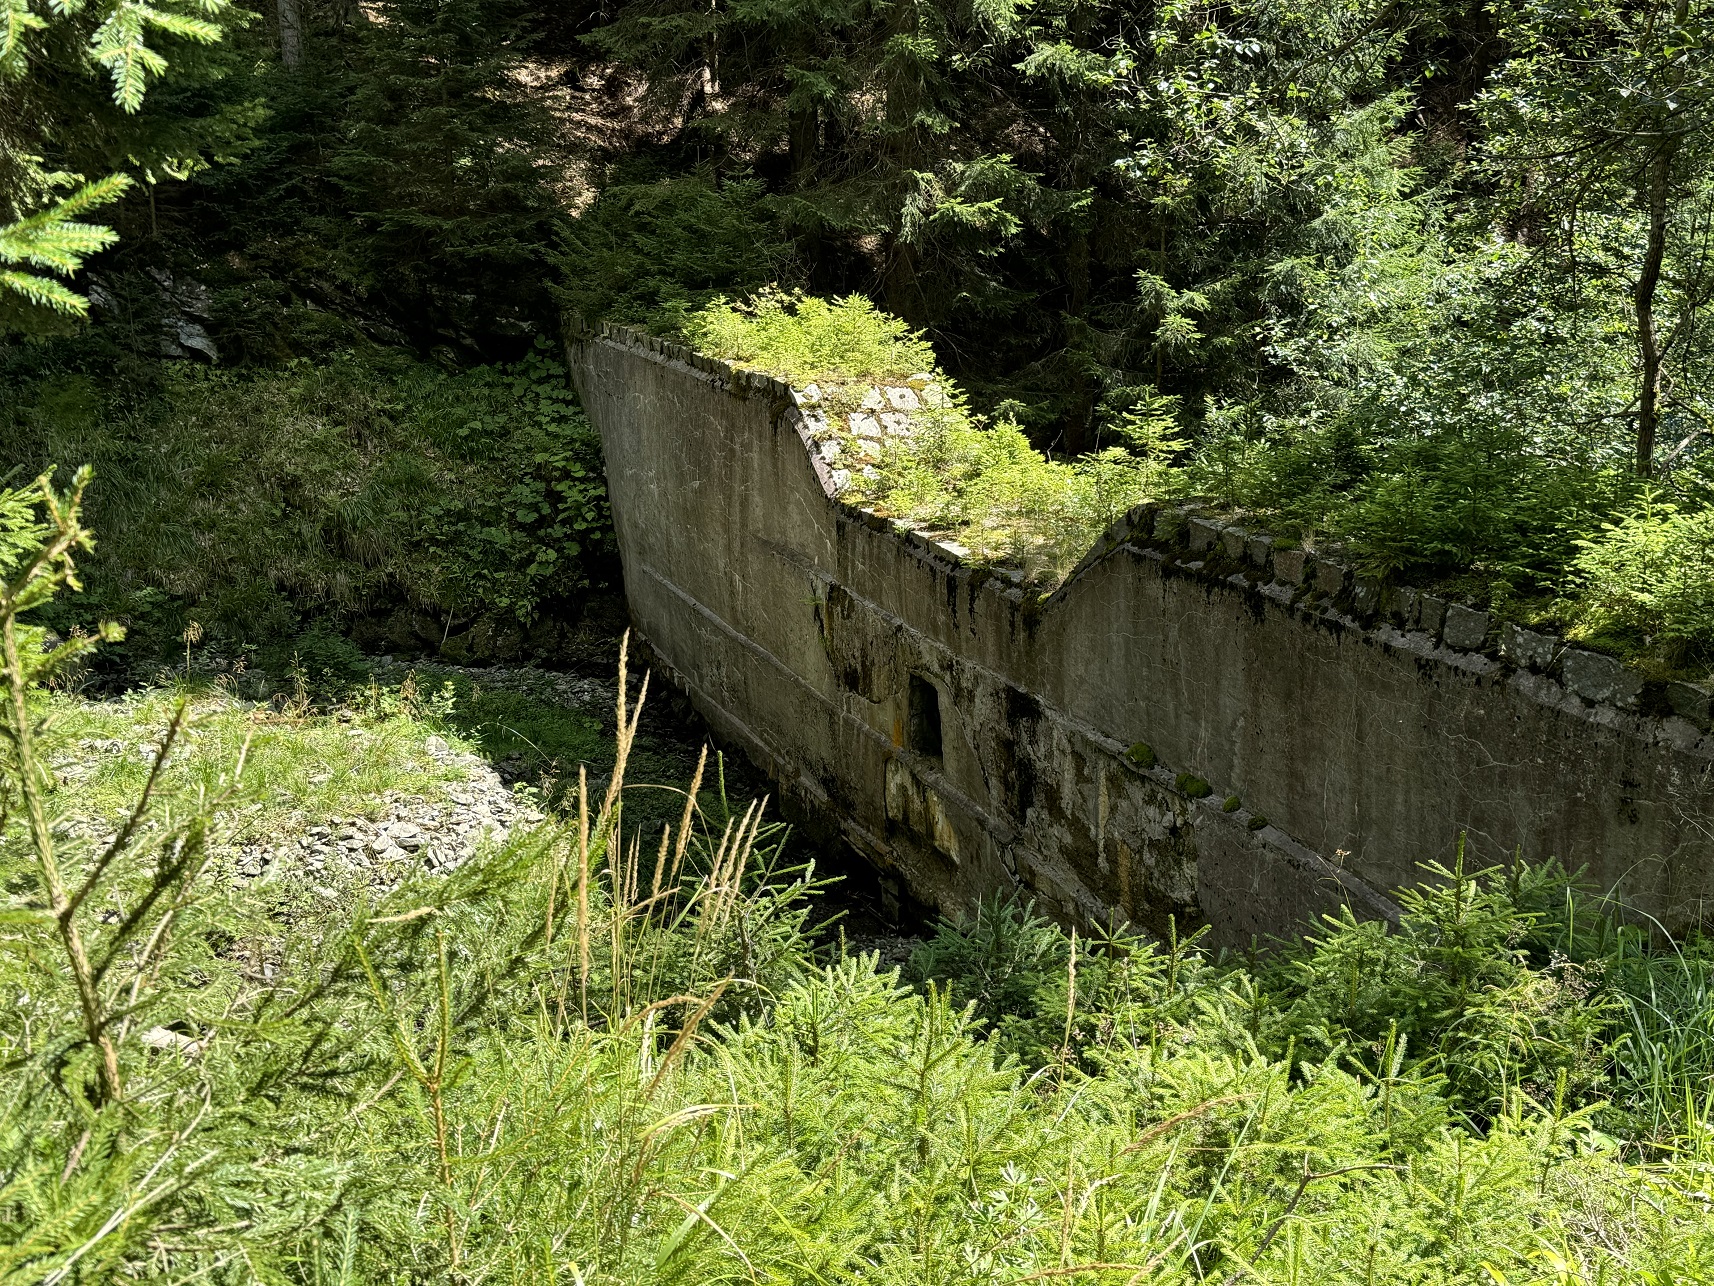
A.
pixel 1423 280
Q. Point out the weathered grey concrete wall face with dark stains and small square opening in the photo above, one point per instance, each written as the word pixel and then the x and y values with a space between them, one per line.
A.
pixel 1190 728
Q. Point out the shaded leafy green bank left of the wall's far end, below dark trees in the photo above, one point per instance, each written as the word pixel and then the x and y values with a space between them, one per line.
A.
pixel 361 486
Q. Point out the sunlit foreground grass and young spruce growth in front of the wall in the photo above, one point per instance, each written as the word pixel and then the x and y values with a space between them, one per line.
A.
pixel 611 1050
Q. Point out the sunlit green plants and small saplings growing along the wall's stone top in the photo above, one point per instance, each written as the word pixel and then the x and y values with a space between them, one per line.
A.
pixel 902 440
